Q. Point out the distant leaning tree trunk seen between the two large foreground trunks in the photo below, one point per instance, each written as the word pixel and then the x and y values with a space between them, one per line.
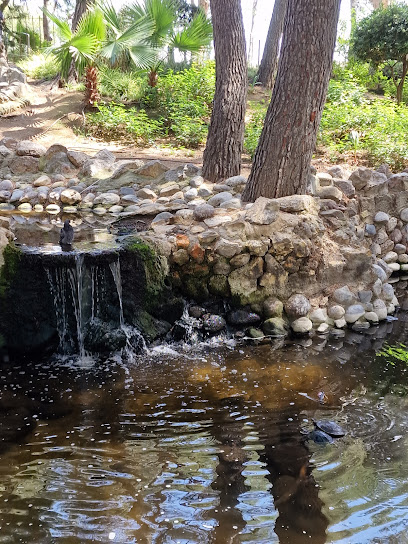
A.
pixel 269 63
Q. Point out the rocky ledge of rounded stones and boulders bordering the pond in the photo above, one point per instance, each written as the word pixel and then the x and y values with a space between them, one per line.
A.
pixel 321 261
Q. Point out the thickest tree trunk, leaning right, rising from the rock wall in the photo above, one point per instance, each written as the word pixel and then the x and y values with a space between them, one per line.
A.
pixel 282 159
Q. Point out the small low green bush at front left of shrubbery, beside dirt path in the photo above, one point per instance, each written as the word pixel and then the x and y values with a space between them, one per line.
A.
pixel 120 122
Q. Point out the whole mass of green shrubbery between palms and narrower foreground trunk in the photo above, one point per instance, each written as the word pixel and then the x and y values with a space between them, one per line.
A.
pixel 179 106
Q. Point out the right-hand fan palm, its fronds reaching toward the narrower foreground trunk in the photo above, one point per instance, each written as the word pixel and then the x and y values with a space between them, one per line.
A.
pixel 192 37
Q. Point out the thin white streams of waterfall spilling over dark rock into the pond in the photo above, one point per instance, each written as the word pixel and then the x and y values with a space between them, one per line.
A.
pixel 88 304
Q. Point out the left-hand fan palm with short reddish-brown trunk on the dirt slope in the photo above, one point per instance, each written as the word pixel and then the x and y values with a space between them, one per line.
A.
pixel 100 34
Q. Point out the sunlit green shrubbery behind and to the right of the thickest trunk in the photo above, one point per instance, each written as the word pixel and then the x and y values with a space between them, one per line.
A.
pixel 372 129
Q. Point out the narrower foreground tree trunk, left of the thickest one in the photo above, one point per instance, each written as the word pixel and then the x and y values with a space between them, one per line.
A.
pixel 222 155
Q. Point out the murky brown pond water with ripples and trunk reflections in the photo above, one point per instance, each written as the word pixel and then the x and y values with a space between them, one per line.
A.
pixel 207 446
